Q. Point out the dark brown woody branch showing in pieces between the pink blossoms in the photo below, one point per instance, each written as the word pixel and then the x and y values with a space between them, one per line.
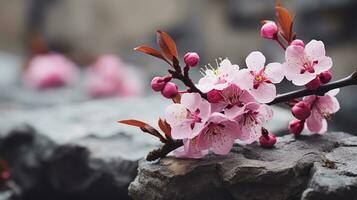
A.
pixel 168 147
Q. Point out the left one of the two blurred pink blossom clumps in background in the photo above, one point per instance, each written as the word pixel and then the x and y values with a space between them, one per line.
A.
pixel 48 71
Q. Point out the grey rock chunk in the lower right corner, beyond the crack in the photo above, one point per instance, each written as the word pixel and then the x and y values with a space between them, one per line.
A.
pixel 337 177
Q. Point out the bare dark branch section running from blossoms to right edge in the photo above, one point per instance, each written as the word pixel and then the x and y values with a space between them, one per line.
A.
pixel 349 80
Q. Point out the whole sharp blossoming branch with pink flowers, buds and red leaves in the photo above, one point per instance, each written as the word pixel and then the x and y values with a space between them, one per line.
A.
pixel 232 104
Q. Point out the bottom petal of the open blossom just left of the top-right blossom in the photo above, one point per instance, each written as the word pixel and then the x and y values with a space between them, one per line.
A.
pixel 265 93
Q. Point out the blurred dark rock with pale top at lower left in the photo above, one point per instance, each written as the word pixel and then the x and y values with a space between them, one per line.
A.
pixel 43 169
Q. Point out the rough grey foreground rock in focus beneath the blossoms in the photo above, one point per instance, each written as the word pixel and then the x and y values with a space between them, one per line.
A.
pixel 311 167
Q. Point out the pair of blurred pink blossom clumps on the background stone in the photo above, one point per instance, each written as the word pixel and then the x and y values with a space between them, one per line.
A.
pixel 107 76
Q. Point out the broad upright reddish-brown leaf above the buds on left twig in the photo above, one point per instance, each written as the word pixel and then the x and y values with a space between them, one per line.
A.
pixel 167 45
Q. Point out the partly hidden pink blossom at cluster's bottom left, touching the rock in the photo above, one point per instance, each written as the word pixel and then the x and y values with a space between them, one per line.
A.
pixel 189 150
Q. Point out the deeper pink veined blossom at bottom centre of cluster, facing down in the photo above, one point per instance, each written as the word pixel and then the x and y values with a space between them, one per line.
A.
pixel 219 134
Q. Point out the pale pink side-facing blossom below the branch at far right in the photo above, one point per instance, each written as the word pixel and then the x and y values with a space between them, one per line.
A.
pixel 322 107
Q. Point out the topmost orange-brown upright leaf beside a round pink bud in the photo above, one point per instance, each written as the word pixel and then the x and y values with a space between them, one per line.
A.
pixel 285 22
